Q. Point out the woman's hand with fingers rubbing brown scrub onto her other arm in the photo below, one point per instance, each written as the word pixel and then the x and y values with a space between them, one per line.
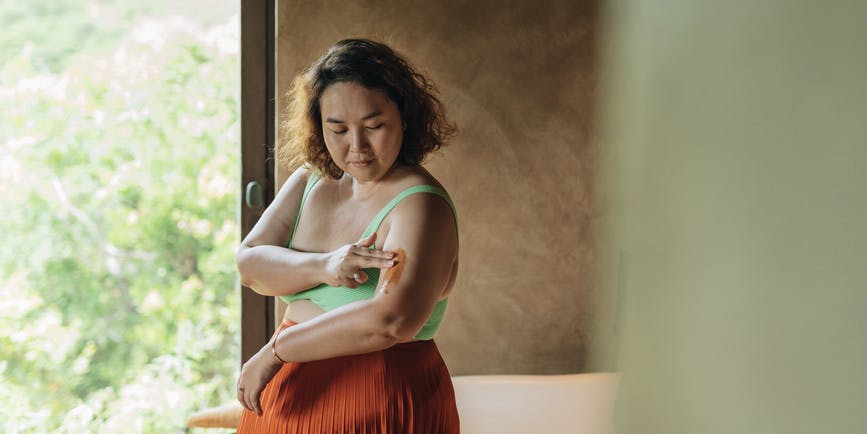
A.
pixel 343 267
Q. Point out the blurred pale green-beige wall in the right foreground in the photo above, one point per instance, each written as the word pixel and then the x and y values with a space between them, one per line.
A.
pixel 736 167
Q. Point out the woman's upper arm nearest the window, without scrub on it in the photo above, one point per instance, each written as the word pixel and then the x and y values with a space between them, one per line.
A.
pixel 276 223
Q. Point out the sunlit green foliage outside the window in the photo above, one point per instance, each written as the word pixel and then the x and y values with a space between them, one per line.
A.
pixel 119 163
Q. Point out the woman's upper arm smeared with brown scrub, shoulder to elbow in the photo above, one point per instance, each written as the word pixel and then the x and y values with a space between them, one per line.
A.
pixel 423 226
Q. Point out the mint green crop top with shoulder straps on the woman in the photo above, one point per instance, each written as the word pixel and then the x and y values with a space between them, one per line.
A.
pixel 331 297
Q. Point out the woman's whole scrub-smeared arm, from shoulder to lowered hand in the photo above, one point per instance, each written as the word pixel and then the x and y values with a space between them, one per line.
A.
pixel 423 226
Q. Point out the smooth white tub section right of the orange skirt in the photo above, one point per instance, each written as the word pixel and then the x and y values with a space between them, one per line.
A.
pixel 537 404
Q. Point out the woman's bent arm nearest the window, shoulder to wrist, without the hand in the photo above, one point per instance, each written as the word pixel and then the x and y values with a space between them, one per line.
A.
pixel 265 264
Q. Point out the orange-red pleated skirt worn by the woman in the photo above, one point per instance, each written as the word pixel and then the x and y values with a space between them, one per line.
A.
pixel 404 389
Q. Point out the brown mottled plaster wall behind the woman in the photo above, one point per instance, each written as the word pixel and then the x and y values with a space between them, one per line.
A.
pixel 518 80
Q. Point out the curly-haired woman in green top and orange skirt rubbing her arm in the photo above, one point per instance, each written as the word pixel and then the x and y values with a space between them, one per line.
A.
pixel 355 351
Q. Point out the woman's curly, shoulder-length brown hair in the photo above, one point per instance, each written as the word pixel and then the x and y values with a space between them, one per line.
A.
pixel 373 65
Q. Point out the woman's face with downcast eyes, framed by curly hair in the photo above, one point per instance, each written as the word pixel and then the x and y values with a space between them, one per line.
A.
pixel 362 128
